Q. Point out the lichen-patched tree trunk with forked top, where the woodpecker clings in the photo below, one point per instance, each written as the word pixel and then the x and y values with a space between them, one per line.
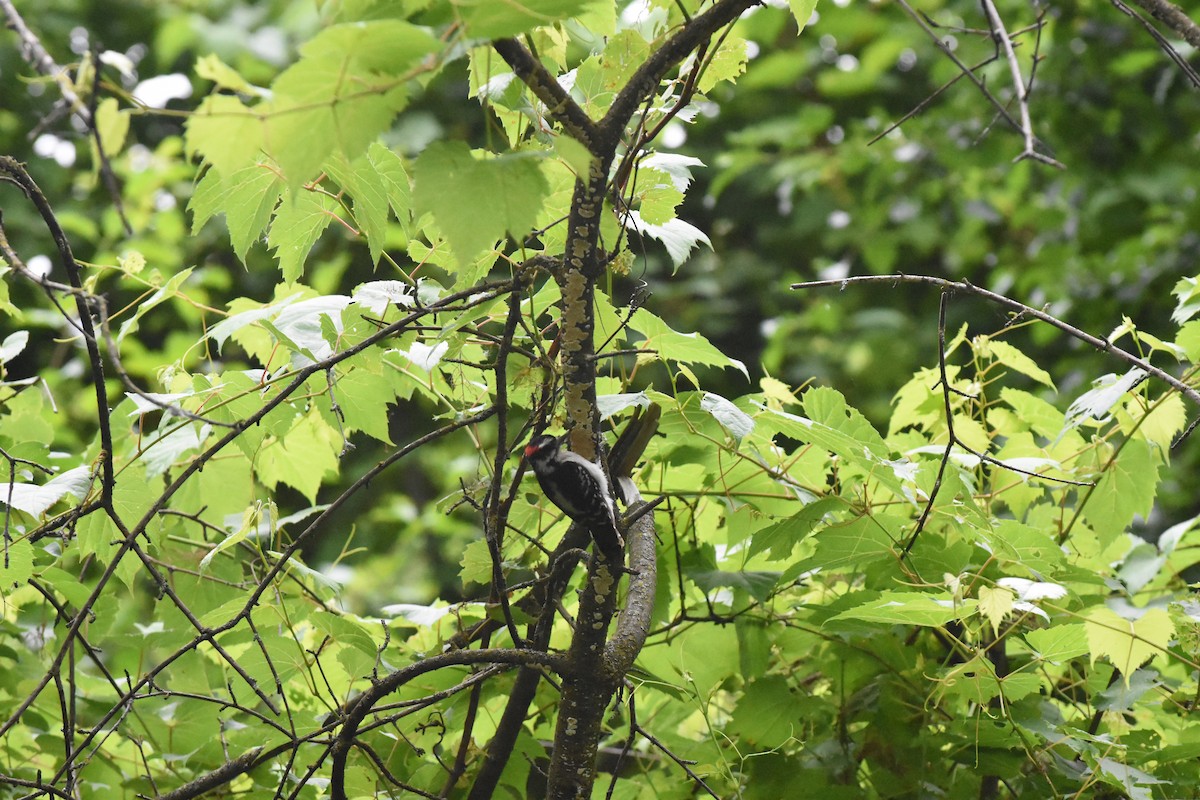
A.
pixel 596 669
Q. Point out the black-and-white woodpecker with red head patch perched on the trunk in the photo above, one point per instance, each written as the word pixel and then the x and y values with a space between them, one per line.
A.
pixel 579 489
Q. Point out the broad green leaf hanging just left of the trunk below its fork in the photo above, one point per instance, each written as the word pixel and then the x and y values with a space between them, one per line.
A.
pixel 476 201
